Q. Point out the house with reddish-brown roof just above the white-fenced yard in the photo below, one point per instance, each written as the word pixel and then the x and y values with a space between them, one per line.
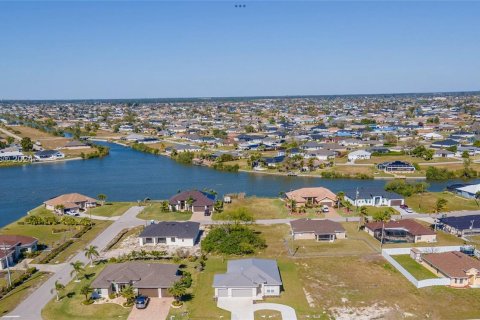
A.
pixel 407 230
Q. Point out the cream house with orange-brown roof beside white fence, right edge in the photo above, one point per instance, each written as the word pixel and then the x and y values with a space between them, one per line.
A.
pixel 463 270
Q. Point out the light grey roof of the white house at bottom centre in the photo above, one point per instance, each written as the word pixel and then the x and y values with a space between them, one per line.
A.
pixel 249 273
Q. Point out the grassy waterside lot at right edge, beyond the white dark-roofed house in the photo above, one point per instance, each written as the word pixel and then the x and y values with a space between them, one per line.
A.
pixel 425 203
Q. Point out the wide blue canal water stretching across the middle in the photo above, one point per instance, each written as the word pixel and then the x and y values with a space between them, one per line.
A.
pixel 129 175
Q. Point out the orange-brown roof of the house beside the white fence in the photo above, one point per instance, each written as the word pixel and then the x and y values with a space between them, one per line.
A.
pixel 453 263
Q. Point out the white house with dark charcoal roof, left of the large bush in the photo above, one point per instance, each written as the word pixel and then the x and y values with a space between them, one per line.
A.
pixel 171 233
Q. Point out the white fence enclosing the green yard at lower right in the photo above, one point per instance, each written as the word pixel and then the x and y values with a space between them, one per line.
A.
pixel 388 253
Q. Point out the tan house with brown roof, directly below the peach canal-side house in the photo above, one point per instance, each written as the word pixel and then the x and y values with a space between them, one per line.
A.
pixel 320 230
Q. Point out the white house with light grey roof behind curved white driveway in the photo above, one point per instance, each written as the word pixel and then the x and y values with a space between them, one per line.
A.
pixel 248 278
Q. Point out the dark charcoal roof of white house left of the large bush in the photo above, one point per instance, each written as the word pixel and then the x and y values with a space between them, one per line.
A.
pixel 185 230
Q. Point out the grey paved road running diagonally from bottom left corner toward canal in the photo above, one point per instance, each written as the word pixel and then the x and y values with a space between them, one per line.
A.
pixel 30 308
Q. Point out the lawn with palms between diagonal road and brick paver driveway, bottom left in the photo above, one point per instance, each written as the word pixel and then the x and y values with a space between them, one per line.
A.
pixel 71 308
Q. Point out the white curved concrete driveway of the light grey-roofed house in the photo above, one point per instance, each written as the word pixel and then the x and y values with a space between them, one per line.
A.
pixel 244 308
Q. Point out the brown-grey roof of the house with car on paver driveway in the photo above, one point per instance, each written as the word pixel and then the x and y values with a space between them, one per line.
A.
pixel 143 275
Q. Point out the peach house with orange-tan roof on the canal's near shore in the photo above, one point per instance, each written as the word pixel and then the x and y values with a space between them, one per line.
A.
pixel 312 196
